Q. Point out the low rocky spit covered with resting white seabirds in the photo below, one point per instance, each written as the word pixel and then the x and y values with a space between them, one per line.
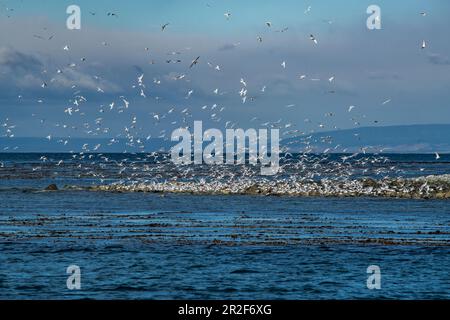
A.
pixel 429 187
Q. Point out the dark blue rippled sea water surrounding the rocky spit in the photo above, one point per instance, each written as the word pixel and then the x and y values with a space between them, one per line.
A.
pixel 190 246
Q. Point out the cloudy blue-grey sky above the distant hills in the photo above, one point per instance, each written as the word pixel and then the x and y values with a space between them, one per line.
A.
pixel 384 74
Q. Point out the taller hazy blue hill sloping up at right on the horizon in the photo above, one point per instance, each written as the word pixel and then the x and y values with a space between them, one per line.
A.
pixel 392 139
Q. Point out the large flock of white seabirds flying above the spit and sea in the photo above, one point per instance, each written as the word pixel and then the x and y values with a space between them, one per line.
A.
pixel 91 155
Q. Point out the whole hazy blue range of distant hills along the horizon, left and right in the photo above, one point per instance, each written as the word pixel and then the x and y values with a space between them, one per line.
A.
pixel 391 139
